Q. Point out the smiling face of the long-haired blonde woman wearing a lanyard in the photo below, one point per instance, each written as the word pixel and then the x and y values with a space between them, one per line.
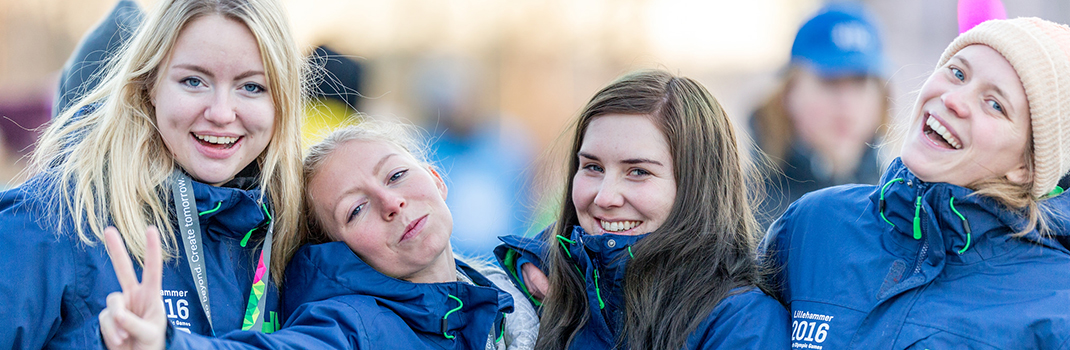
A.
pixel 213 110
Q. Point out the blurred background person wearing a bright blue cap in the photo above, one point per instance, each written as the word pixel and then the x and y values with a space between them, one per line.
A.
pixel 819 127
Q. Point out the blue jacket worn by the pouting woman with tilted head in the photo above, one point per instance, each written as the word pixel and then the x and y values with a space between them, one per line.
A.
pixel 337 301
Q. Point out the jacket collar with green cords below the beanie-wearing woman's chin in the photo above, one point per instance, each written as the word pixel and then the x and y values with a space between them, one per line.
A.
pixel 940 214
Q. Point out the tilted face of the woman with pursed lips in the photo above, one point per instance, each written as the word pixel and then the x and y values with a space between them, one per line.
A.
pixel 388 208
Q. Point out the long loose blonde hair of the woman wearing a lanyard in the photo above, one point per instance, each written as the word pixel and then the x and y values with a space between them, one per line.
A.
pixel 111 166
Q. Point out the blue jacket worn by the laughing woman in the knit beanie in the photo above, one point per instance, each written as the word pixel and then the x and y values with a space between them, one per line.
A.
pixel 936 269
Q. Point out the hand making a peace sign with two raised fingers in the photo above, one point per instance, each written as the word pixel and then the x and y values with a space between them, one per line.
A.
pixel 135 317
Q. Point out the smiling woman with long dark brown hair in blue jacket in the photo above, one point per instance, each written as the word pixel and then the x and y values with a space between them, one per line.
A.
pixel 654 247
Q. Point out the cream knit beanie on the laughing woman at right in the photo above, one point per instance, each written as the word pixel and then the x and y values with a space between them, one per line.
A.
pixel 1040 51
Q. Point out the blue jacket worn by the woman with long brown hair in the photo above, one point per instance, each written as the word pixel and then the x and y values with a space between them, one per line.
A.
pixel 748 319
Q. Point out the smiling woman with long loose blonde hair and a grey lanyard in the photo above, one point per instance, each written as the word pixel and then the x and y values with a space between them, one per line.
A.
pixel 194 130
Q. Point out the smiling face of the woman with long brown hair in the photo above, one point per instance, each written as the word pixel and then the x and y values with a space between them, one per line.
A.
pixel 625 184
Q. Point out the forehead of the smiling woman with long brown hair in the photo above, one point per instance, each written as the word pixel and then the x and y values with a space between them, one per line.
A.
pixel 625 135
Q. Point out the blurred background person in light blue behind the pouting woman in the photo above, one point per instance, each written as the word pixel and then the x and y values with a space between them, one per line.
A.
pixel 483 157
